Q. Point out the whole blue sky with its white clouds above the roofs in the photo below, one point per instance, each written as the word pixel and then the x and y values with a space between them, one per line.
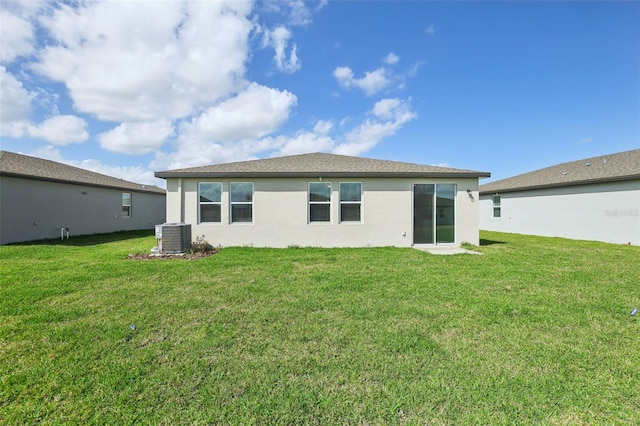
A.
pixel 129 88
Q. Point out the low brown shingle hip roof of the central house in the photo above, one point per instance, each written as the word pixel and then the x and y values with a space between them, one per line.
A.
pixel 319 165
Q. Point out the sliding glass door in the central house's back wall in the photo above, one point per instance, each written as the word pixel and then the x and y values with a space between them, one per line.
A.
pixel 434 213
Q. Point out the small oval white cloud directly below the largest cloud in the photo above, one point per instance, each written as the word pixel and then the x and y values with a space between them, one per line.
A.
pixel 136 138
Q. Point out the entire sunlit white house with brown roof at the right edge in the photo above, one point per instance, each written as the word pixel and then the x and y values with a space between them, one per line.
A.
pixel 591 199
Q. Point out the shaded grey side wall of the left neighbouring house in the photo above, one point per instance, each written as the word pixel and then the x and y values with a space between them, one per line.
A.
pixel 32 210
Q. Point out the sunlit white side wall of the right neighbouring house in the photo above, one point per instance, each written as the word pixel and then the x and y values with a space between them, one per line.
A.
pixel 608 212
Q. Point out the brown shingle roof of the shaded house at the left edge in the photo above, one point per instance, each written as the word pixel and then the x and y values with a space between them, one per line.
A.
pixel 26 167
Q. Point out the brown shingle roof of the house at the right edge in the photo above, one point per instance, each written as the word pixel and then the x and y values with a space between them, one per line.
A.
pixel 606 168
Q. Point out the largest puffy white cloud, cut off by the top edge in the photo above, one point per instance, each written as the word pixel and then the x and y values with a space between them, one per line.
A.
pixel 180 57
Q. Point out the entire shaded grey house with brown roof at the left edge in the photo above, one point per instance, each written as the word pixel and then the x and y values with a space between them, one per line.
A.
pixel 43 199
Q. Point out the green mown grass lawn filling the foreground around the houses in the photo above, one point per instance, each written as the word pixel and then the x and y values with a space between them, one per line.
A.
pixel 535 331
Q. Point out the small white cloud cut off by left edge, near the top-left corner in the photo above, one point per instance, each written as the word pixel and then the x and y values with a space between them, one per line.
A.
pixel 16 34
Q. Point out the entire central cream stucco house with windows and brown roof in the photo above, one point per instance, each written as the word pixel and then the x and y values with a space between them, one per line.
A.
pixel 325 200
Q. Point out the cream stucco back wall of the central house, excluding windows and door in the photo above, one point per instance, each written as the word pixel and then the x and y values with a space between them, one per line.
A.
pixel 280 213
